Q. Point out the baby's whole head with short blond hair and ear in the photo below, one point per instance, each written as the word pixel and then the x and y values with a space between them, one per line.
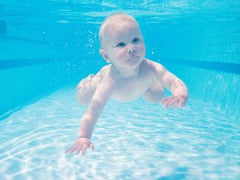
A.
pixel 121 41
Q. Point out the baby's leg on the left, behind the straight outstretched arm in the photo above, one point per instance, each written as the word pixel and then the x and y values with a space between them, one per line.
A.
pixel 87 87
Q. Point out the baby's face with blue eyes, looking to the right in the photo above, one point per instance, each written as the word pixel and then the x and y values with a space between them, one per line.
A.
pixel 124 45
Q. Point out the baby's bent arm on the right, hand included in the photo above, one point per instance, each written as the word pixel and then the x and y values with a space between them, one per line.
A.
pixel 174 85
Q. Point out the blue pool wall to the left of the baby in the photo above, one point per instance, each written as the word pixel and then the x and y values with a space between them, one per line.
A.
pixel 32 66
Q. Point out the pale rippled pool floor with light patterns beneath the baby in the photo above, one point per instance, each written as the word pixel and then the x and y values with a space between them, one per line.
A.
pixel 136 140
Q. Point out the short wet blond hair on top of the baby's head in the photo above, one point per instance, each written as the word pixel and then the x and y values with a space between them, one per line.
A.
pixel 113 18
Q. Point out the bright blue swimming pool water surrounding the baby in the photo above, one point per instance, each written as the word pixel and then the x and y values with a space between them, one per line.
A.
pixel 46 48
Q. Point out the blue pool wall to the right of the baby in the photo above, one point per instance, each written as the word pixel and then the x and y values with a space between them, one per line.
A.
pixel 205 54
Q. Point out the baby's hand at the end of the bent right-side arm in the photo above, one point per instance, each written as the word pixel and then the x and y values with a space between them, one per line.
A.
pixel 175 101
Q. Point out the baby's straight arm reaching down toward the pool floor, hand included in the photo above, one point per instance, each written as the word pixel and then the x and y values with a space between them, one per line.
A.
pixel 89 119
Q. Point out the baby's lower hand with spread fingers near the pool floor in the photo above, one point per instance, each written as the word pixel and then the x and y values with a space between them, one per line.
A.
pixel 80 145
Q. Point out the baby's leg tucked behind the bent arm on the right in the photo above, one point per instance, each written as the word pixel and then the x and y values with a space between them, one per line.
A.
pixel 154 94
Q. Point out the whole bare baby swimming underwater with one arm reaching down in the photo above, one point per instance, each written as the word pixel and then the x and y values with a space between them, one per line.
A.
pixel 128 76
